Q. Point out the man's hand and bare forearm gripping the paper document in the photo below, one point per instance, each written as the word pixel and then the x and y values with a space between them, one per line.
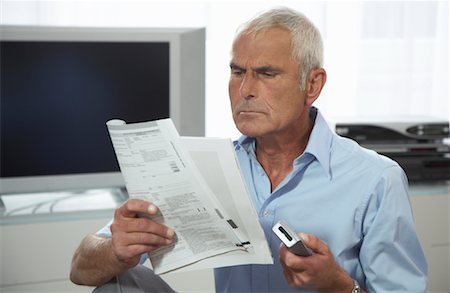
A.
pixel 97 260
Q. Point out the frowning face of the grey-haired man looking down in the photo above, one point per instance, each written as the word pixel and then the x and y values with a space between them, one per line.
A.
pixel 264 85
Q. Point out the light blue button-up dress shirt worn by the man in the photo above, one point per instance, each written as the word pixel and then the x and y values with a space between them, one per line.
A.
pixel 352 198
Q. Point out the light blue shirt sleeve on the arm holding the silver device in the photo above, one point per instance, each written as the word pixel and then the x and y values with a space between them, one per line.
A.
pixel 390 254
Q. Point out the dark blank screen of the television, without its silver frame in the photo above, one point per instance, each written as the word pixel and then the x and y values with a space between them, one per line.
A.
pixel 57 96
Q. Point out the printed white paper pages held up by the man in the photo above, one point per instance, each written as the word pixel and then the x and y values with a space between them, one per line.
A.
pixel 197 185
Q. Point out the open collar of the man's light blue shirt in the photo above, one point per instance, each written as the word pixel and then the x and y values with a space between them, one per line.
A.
pixel 319 144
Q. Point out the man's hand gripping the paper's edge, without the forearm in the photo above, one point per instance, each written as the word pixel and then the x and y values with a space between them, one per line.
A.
pixel 134 233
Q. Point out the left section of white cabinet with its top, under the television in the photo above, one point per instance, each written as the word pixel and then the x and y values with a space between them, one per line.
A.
pixel 40 232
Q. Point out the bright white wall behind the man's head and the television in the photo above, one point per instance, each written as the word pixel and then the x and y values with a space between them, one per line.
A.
pixel 382 57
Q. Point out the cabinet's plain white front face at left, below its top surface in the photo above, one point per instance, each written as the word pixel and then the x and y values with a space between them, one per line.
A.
pixel 37 257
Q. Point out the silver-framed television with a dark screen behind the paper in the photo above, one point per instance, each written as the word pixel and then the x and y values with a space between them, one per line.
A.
pixel 59 86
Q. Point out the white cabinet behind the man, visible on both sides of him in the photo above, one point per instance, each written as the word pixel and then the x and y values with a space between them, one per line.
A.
pixel 36 250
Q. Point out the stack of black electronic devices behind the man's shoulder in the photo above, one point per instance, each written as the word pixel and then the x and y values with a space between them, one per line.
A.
pixel 418 145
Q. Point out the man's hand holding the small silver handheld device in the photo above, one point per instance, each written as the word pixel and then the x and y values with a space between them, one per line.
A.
pixel 319 272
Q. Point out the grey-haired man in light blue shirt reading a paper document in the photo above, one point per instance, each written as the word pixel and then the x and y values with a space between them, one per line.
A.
pixel 350 204
